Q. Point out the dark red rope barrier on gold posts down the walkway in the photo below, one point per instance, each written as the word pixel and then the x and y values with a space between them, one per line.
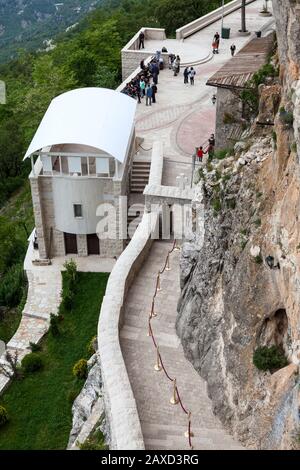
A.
pixel 159 365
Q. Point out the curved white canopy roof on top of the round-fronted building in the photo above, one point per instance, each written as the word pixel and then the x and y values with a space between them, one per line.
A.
pixel 94 117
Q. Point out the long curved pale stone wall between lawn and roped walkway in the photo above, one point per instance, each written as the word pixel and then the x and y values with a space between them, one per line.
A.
pixel 120 404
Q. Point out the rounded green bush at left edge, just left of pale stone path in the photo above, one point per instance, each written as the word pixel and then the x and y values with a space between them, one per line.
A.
pixel 11 286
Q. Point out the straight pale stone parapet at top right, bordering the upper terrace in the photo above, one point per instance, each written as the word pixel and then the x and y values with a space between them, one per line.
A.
pixel 201 23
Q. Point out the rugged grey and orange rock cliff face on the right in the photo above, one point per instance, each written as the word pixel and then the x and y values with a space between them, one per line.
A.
pixel 241 280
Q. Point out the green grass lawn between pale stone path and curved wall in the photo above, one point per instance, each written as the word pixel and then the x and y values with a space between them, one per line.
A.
pixel 39 406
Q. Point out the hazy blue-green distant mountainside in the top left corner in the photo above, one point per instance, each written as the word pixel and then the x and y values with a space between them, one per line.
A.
pixel 27 23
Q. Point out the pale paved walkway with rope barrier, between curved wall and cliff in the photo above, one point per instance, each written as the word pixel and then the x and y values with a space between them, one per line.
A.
pixel 163 424
